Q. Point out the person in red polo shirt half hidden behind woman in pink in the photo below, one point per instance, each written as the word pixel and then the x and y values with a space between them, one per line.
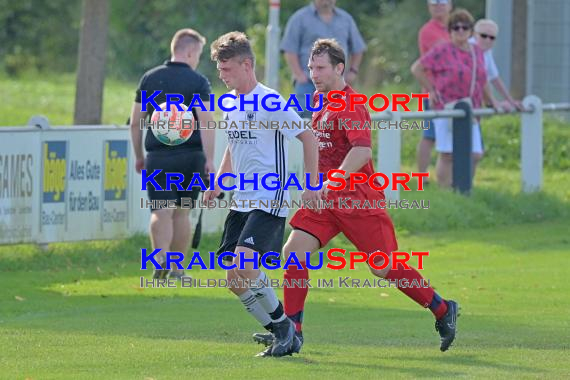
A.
pixel 431 34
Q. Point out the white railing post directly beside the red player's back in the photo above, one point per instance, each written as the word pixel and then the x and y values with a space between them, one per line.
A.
pixel 389 153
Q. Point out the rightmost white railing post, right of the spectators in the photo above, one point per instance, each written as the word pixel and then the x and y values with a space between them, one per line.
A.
pixel 531 145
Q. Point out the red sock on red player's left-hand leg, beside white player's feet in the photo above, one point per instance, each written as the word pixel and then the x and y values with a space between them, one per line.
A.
pixel 294 297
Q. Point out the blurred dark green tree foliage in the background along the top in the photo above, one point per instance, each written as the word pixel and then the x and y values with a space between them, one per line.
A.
pixel 42 36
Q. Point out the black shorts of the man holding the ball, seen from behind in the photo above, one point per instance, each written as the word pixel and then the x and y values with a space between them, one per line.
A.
pixel 185 162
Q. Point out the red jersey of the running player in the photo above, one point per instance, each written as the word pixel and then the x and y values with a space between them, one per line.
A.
pixel 336 140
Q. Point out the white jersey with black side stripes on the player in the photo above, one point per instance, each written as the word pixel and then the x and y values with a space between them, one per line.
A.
pixel 258 150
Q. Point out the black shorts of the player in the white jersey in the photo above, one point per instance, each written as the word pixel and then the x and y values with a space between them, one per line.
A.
pixel 255 229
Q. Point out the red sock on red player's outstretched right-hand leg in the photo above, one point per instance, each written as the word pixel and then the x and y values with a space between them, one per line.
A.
pixel 425 296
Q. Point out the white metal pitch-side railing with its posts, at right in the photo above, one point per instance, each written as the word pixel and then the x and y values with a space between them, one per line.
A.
pixel 389 141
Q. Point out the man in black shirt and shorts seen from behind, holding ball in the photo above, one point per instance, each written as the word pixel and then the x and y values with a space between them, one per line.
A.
pixel 170 228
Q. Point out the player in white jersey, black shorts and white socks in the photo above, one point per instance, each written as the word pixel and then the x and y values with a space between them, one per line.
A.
pixel 252 150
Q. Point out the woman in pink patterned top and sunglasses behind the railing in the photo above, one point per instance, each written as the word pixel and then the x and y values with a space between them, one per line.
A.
pixel 446 71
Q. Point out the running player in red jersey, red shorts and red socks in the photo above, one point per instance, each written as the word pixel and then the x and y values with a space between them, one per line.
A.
pixel 370 230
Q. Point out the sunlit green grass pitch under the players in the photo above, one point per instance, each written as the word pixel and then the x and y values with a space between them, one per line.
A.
pixel 77 311
